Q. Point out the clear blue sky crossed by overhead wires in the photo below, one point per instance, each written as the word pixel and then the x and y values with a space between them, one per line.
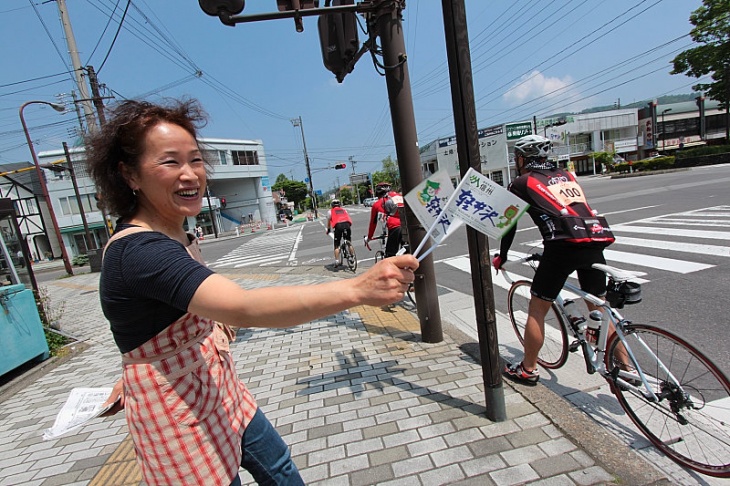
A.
pixel 529 57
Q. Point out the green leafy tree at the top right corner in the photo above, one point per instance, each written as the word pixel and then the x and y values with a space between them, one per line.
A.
pixel 712 56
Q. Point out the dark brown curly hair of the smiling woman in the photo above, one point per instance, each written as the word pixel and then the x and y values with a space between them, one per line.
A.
pixel 122 139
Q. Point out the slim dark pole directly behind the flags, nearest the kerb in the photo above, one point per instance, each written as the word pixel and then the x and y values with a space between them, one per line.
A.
pixel 467 142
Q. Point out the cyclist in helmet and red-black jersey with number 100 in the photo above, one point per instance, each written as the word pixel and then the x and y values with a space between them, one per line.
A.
pixel 573 239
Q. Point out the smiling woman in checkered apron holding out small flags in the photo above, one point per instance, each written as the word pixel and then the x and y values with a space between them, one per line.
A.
pixel 170 314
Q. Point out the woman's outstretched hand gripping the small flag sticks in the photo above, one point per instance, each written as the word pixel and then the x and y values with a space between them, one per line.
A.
pixel 387 281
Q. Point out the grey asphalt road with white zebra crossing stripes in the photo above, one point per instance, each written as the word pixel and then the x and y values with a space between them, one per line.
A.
pixel 673 226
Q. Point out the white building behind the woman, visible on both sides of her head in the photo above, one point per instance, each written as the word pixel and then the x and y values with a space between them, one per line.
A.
pixel 239 187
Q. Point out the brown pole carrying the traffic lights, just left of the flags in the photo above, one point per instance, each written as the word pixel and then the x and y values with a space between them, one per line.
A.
pixel 390 29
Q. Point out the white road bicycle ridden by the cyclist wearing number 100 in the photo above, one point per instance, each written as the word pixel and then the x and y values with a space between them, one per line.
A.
pixel 677 397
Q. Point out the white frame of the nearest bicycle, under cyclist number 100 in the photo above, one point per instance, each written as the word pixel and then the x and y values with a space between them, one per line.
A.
pixel 595 358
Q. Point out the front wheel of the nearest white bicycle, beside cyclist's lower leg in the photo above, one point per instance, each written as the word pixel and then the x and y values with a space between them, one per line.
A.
pixel 554 351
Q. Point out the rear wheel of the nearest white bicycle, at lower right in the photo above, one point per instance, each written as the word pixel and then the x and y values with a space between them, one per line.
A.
pixel 689 421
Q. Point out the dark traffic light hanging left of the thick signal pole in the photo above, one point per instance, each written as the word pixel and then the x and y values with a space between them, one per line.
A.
pixel 338 40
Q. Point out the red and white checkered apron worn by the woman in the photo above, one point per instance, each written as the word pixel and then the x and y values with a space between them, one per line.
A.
pixel 185 406
